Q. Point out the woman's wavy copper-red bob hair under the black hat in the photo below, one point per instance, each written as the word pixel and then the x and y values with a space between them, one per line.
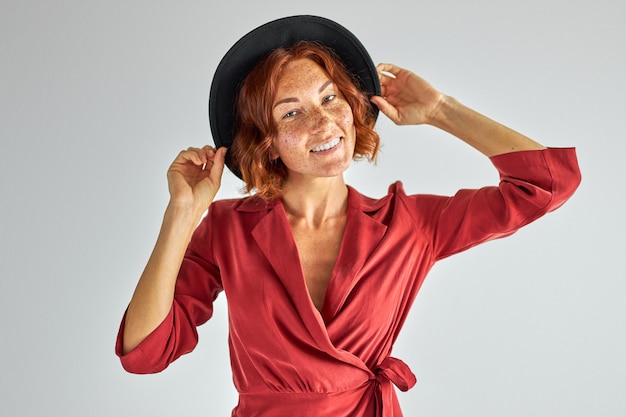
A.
pixel 250 151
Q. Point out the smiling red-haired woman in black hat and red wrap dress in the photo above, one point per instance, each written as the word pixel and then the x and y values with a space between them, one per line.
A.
pixel 319 278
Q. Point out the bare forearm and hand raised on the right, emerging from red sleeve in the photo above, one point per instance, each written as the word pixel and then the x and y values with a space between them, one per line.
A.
pixel 409 99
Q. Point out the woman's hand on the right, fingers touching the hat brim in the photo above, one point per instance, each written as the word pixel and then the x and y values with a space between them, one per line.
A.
pixel 407 99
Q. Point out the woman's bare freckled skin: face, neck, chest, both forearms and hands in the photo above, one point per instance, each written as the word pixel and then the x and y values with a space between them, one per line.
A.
pixel 315 194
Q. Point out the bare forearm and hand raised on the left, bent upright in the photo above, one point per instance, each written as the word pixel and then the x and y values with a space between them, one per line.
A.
pixel 193 181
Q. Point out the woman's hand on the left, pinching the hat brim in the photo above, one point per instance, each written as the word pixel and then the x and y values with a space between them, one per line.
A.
pixel 195 177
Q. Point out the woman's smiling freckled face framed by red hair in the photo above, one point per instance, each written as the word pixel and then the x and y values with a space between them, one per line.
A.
pixel 315 127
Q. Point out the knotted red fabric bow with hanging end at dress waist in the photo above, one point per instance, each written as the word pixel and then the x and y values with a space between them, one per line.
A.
pixel 391 371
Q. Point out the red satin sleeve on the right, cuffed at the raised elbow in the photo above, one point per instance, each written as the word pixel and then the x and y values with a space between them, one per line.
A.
pixel 532 183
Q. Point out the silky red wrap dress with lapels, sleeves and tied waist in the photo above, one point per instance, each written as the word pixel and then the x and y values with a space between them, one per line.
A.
pixel 289 359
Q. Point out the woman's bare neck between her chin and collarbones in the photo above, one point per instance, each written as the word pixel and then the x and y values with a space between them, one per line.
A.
pixel 317 201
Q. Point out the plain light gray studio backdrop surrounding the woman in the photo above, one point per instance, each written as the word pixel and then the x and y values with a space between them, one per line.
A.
pixel 96 98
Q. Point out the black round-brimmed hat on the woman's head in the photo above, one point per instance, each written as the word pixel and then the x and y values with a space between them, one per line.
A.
pixel 249 50
